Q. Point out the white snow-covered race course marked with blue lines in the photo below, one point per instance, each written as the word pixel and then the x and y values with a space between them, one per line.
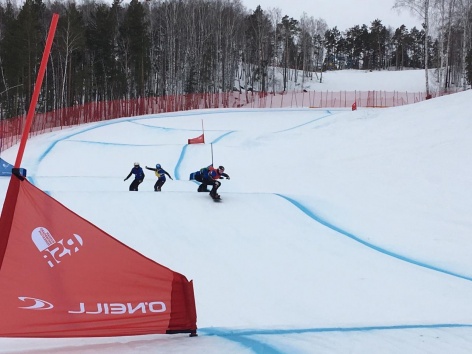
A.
pixel 338 232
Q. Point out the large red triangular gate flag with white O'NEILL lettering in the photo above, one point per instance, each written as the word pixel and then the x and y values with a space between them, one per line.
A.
pixel 61 276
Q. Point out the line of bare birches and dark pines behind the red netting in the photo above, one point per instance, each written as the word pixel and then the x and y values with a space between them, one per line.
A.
pixel 157 48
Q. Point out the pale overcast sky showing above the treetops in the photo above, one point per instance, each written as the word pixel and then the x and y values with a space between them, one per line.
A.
pixel 341 13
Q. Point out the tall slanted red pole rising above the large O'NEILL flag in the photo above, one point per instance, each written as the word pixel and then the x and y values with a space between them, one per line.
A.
pixel 37 88
